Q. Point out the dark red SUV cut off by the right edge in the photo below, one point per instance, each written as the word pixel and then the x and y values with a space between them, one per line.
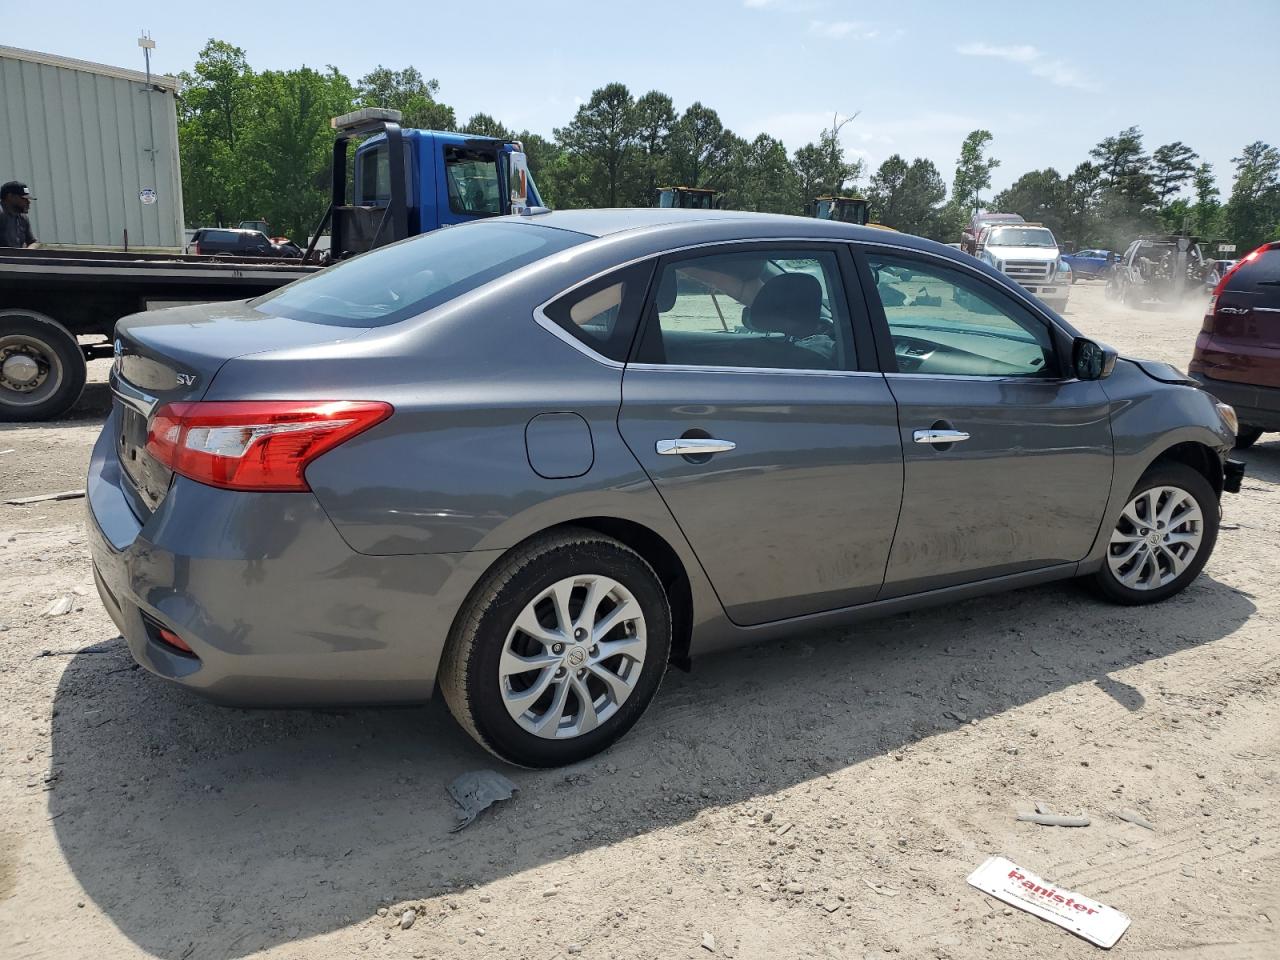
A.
pixel 1238 350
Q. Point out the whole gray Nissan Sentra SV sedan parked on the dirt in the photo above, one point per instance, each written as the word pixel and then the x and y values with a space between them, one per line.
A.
pixel 534 460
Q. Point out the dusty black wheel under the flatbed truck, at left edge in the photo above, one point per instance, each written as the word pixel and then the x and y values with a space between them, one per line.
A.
pixel 42 367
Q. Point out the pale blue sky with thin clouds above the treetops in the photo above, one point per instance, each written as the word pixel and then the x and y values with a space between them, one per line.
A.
pixel 1049 80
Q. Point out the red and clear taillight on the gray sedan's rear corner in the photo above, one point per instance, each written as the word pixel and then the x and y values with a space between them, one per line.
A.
pixel 255 445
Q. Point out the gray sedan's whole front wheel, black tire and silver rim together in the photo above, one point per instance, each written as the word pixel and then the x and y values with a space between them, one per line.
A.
pixel 1163 540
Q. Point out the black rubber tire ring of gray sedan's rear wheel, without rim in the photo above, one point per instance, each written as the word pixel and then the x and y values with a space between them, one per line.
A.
pixel 469 669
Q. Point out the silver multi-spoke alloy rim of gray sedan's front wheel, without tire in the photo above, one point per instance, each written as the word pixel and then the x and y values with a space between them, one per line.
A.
pixel 1159 536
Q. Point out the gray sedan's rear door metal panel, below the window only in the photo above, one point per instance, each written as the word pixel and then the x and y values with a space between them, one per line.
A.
pixel 799 516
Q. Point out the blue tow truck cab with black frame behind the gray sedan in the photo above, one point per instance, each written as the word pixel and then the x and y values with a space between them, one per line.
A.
pixel 409 182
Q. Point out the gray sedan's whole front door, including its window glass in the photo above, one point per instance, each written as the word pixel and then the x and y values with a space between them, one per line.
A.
pixel 1027 479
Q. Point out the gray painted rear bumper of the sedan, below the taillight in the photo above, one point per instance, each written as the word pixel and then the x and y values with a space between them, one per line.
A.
pixel 277 607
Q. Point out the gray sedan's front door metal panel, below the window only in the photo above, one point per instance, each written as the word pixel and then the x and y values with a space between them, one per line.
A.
pixel 1026 491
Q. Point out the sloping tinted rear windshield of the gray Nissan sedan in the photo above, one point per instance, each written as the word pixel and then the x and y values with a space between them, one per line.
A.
pixel 400 281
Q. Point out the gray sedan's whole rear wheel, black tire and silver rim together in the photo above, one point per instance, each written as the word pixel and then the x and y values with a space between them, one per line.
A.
pixel 559 651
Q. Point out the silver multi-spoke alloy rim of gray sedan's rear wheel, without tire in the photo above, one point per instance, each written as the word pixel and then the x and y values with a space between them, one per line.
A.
pixel 573 657
